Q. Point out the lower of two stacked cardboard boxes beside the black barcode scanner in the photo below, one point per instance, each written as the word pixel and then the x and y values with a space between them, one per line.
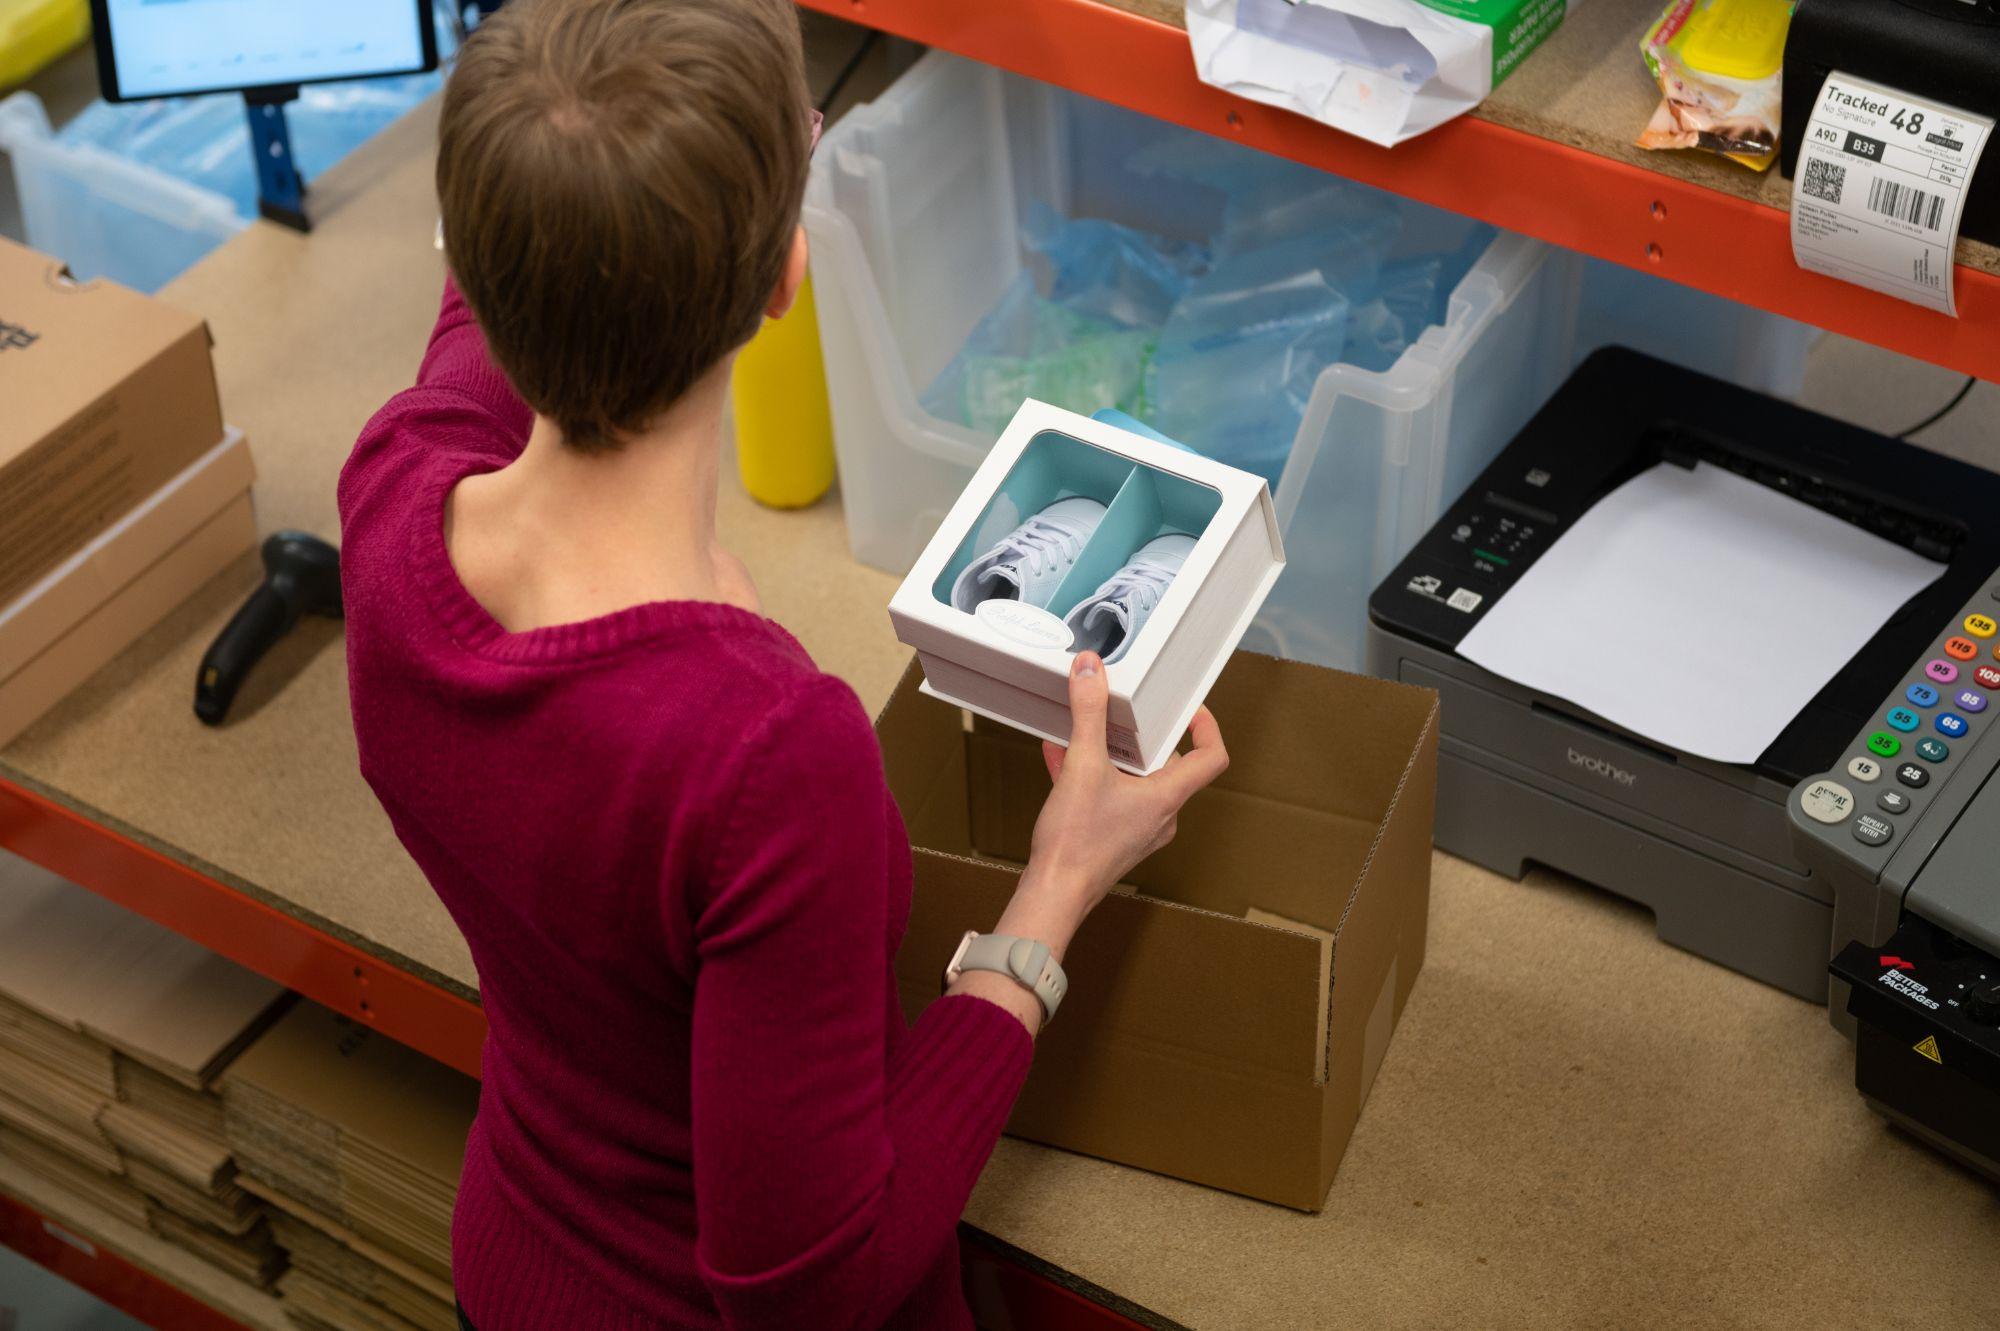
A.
pixel 77 617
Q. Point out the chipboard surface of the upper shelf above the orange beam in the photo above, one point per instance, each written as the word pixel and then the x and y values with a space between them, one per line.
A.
pixel 1587 87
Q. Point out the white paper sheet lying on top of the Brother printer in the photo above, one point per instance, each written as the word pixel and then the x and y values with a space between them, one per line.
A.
pixel 1697 609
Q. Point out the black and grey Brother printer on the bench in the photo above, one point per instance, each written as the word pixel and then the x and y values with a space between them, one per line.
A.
pixel 1527 778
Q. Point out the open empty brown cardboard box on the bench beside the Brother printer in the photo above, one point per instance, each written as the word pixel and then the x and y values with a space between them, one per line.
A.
pixel 1227 1016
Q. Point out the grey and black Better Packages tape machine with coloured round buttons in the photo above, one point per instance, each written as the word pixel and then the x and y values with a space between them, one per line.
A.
pixel 1905 826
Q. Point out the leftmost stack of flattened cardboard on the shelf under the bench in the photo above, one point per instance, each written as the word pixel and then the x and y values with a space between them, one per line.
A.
pixel 101 1000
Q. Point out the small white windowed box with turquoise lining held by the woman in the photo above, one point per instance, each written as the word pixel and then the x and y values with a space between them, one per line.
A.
pixel 1011 663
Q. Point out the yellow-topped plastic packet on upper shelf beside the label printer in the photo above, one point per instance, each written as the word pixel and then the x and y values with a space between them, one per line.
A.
pixel 1721 69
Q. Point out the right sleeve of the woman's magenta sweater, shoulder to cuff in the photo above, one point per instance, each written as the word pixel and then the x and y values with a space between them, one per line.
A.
pixel 833 1156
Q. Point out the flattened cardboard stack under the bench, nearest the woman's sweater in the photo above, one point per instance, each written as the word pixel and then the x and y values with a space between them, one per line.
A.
pixel 359 1144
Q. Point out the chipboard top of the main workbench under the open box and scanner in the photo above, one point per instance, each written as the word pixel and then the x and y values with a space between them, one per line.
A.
pixel 1575 1126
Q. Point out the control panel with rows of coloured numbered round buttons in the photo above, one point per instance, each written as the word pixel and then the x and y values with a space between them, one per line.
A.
pixel 1915 742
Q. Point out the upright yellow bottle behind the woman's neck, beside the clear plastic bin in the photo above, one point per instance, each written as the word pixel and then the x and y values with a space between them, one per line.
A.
pixel 785 431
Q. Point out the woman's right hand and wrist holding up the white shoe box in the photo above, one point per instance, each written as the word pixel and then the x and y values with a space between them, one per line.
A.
pixel 1095 828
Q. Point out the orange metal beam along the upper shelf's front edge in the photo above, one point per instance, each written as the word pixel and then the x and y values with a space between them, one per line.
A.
pixel 1517 181
